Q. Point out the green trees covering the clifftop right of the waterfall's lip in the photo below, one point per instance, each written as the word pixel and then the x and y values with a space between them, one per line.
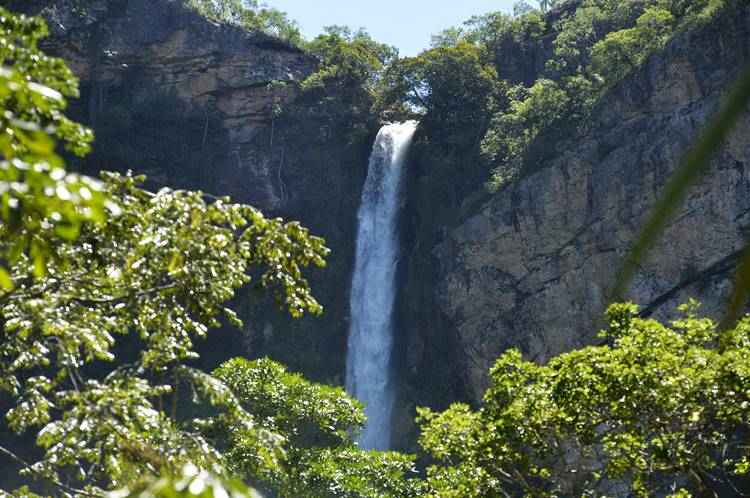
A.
pixel 566 61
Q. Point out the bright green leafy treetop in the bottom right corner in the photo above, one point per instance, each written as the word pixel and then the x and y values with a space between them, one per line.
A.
pixel 657 409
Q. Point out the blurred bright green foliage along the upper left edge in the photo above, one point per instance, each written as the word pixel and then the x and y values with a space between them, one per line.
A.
pixel 40 203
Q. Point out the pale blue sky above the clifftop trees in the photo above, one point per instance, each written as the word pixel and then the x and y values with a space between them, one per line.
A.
pixel 406 24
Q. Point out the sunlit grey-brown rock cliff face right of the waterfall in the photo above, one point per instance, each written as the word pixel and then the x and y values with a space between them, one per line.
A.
pixel 532 267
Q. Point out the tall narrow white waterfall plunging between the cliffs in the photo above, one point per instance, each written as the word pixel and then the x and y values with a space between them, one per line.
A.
pixel 368 362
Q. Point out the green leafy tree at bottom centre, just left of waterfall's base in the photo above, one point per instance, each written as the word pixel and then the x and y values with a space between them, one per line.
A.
pixel 316 422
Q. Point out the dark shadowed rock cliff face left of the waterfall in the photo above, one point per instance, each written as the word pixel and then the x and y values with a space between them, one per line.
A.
pixel 203 105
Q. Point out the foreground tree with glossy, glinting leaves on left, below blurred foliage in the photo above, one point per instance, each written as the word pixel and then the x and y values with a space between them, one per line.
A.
pixel 162 270
